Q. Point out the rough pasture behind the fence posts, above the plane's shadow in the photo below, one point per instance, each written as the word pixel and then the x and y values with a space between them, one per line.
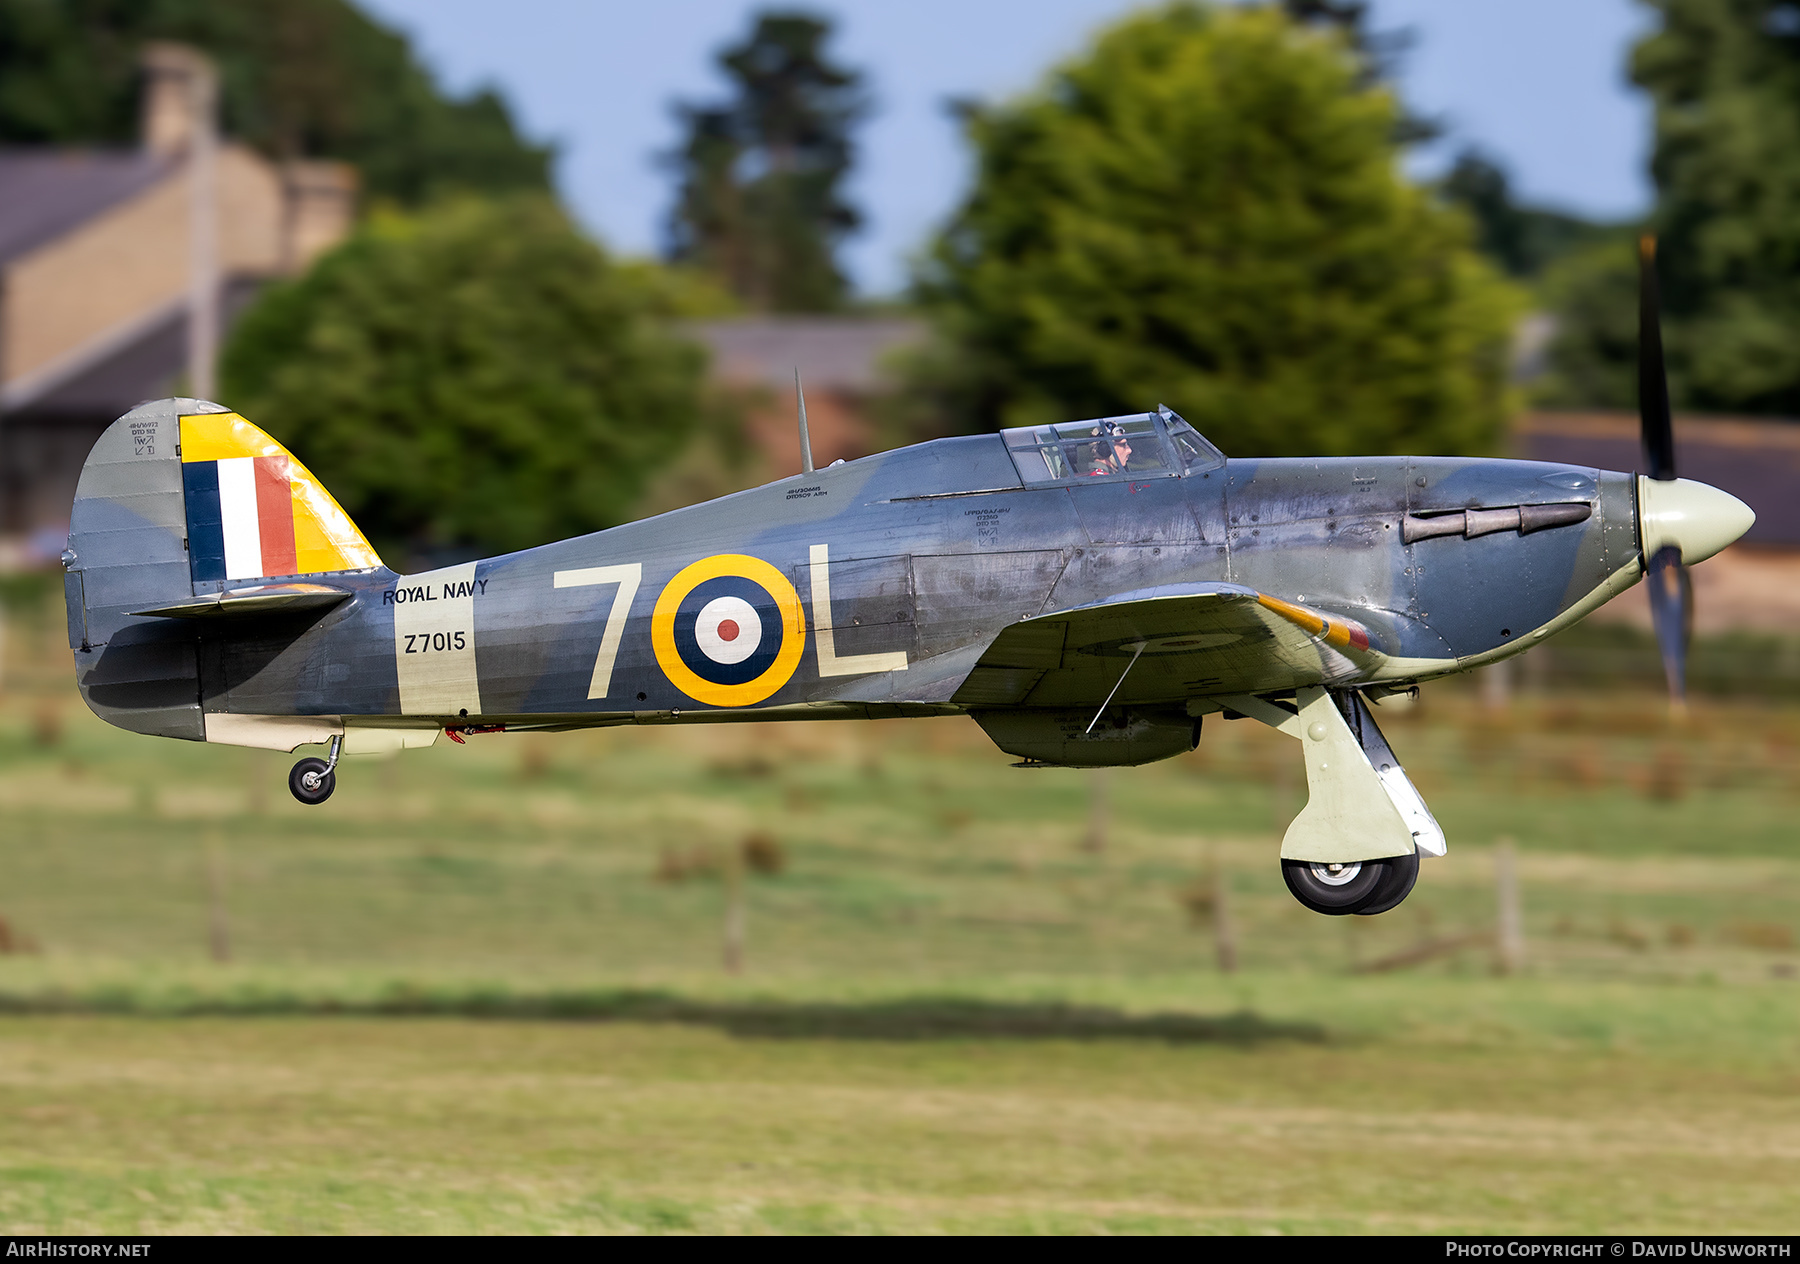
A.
pixel 913 853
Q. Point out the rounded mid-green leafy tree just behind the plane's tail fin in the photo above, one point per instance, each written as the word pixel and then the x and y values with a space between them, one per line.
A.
pixel 478 375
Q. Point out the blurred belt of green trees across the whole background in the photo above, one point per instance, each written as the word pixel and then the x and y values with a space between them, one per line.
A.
pixel 1209 206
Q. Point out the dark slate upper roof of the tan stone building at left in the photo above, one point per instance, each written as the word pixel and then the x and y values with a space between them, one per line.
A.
pixel 48 192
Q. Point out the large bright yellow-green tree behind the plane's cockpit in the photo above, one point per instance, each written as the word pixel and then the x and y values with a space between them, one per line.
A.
pixel 1207 212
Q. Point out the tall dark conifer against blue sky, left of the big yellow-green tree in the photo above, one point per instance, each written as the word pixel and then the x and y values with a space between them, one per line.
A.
pixel 760 203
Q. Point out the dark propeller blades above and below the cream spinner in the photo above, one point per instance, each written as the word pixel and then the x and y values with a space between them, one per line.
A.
pixel 1668 579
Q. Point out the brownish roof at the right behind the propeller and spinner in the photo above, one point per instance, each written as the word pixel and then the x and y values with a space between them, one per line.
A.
pixel 1752 458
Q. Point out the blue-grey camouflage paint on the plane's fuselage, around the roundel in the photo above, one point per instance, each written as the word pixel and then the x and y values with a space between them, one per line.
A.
pixel 931 552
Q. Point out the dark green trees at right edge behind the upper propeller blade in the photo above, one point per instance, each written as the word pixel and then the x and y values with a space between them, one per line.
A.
pixel 1725 80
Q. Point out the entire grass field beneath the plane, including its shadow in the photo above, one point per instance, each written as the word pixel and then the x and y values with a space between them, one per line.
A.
pixel 481 989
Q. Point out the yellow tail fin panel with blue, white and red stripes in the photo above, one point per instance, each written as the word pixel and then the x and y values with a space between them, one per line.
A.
pixel 255 512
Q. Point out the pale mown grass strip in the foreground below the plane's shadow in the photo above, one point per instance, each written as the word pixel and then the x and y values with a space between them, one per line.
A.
pixel 354 1124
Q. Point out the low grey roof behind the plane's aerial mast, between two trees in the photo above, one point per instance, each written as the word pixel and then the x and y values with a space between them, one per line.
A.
pixel 841 354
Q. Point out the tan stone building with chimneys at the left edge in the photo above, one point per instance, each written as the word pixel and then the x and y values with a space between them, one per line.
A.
pixel 96 280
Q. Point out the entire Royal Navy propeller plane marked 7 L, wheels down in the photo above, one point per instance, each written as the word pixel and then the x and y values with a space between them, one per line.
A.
pixel 1088 593
